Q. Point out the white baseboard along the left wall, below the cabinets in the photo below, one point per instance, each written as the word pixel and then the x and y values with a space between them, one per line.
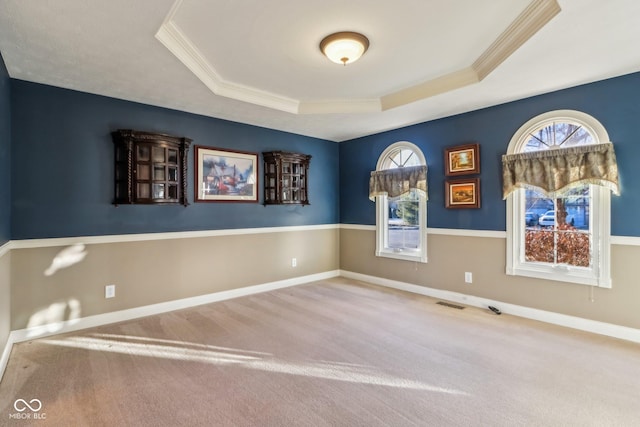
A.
pixel 26 334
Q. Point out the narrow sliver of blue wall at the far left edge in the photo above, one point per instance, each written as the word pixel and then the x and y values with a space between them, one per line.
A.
pixel 5 154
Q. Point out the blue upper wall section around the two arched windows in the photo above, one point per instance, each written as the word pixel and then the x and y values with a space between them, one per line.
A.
pixel 614 102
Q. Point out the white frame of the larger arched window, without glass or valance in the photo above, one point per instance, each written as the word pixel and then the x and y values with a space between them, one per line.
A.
pixel 599 274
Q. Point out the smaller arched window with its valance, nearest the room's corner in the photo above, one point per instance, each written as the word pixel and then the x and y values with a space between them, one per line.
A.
pixel 399 188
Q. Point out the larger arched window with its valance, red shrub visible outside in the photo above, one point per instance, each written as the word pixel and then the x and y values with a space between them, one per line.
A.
pixel 558 174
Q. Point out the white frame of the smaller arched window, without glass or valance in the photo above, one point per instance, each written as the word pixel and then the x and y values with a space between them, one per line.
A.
pixel 382 212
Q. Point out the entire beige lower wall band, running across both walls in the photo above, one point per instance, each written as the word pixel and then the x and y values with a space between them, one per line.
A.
pixel 149 272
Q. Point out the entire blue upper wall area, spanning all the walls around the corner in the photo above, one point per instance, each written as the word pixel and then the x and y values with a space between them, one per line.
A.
pixel 62 172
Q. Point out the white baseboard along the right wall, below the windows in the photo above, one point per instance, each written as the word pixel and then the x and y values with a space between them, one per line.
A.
pixel 608 329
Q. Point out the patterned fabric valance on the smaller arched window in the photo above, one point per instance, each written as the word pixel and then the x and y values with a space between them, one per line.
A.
pixel 398 181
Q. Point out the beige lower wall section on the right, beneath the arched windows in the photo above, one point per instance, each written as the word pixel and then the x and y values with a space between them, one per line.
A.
pixel 451 256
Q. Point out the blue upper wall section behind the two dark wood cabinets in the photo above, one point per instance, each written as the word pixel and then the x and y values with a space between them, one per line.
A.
pixel 62 179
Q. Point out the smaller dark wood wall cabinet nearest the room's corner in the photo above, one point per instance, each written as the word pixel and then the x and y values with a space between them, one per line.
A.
pixel 286 178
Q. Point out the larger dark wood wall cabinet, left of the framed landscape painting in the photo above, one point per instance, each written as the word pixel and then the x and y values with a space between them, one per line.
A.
pixel 150 168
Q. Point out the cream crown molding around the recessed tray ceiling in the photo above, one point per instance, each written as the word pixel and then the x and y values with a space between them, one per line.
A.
pixel 537 14
